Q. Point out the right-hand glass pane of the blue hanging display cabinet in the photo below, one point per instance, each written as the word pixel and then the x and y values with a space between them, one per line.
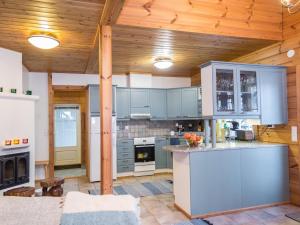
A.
pixel 248 91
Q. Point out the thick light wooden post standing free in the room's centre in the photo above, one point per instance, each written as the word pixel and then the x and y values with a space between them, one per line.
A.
pixel 105 73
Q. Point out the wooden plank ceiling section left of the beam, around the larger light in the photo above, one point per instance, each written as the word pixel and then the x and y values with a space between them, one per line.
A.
pixel 74 22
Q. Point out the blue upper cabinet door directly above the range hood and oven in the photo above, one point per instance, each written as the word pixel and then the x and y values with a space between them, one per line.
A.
pixel 139 100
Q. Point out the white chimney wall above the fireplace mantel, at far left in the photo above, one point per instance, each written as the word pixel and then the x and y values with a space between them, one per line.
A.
pixel 11 70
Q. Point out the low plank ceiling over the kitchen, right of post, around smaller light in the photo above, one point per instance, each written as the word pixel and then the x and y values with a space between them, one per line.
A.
pixel 135 49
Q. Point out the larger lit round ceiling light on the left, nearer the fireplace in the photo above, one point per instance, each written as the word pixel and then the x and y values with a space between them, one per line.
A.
pixel 43 41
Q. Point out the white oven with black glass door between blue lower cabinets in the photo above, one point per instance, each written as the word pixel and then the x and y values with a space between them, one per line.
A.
pixel 144 152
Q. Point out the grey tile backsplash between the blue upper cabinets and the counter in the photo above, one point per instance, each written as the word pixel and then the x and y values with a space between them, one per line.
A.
pixel 147 128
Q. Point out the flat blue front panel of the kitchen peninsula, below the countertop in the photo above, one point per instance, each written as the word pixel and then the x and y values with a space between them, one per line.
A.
pixel 234 179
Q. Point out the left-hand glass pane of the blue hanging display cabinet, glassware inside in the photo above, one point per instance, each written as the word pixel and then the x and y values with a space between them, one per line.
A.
pixel 225 99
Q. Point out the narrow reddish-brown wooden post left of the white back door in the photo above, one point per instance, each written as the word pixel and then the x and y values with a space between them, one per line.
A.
pixel 51 125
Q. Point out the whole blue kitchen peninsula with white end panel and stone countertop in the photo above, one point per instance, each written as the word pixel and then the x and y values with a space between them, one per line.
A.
pixel 231 176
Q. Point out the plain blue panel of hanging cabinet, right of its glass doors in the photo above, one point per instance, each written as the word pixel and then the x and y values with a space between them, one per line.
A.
pixel 273 96
